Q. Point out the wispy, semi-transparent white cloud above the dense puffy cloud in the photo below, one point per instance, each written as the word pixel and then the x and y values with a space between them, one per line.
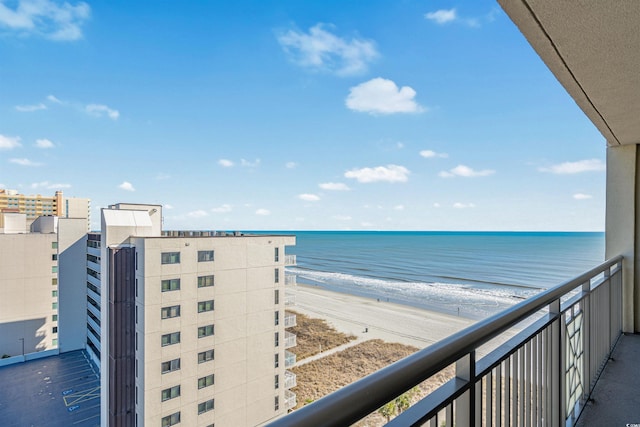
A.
pixel 322 50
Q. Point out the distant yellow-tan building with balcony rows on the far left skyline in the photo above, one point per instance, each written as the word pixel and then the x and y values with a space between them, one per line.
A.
pixel 37 205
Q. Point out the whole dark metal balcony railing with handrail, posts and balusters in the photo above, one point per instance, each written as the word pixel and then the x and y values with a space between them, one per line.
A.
pixel 543 375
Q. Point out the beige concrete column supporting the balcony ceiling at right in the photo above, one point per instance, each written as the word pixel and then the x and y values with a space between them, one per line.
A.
pixel 620 225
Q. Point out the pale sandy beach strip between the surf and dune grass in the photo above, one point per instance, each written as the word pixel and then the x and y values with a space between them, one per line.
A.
pixel 368 318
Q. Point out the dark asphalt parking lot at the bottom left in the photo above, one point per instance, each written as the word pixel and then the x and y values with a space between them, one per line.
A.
pixel 57 391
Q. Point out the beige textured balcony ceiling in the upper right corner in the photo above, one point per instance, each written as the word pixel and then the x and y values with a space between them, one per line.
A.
pixel 593 48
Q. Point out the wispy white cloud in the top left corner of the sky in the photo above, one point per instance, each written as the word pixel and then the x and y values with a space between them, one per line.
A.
pixel 45 18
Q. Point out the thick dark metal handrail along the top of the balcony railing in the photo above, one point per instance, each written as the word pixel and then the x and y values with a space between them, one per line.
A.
pixel 353 402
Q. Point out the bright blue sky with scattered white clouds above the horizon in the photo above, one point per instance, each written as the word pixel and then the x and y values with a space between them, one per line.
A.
pixel 295 115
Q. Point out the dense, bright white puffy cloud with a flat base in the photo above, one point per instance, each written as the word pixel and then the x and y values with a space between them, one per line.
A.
pixel 382 96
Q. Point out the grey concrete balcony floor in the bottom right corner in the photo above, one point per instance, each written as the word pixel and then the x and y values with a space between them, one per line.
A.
pixel 615 397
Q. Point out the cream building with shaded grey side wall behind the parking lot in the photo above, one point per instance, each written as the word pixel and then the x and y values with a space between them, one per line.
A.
pixel 40 285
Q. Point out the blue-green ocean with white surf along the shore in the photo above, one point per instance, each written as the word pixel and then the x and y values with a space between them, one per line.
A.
pixel 471 274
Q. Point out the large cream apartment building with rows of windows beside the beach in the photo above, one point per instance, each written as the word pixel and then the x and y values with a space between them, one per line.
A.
pixel 192 324
